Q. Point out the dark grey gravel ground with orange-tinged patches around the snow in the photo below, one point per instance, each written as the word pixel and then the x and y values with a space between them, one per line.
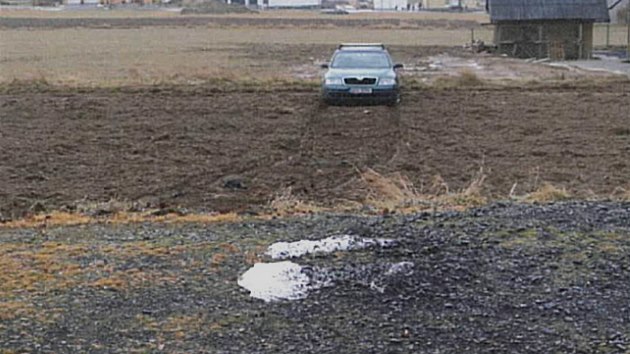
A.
pixel 502 278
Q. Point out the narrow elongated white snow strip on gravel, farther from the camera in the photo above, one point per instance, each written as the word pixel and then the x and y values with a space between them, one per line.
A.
pixel 284 250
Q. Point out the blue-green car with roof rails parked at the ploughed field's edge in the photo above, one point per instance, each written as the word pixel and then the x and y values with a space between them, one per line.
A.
pixel 361 73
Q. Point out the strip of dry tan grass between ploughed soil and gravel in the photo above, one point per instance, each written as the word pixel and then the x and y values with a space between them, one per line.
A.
pixel 392 192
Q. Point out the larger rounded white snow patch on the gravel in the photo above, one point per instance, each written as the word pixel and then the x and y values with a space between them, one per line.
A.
pixel 277 281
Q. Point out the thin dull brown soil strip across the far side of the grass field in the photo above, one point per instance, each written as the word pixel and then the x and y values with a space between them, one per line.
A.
pixel 55 23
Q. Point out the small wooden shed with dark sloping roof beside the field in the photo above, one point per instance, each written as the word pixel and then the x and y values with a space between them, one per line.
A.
pixel 558 29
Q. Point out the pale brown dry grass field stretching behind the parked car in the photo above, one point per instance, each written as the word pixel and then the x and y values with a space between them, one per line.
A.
pixel 129 52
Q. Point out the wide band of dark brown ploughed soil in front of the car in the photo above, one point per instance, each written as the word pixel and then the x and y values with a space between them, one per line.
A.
pixel 204 149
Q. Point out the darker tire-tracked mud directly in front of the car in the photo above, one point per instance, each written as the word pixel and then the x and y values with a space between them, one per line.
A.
pixel 350 138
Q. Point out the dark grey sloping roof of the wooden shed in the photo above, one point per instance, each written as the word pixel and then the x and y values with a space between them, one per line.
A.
pixel 532 10
